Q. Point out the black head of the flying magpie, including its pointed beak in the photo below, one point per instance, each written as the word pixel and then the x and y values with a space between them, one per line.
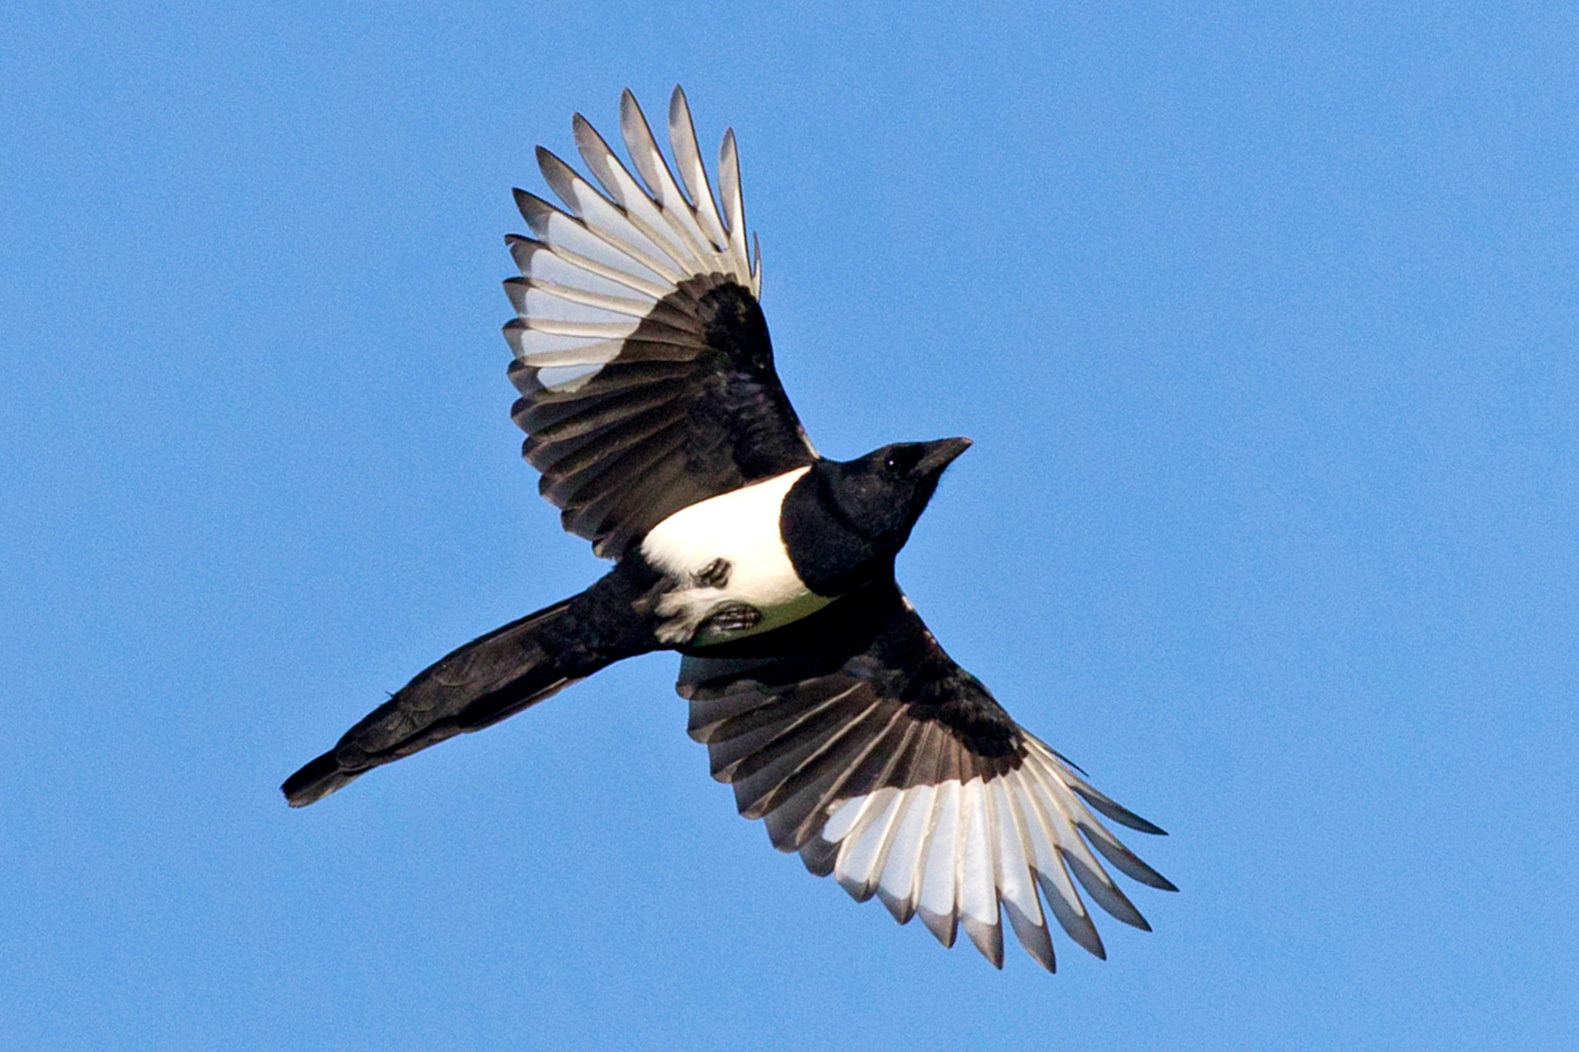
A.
pixel 883 494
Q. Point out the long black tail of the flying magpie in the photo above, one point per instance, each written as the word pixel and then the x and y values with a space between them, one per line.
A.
pixel 474 686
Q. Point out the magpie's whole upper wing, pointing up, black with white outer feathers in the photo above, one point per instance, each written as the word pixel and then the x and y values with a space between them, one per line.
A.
pixel 643 359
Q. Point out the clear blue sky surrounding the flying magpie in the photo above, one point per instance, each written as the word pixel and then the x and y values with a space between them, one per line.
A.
pixel 1264 320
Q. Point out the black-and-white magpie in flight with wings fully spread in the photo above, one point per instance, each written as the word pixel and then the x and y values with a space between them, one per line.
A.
pixel 658 421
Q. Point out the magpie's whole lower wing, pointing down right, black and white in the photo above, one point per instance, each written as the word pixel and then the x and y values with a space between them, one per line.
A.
pixel 882 762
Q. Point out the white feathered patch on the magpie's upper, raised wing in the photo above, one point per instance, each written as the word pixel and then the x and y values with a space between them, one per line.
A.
pixel 604 263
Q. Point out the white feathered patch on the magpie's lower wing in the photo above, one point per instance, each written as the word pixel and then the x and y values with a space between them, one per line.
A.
pixel 955 852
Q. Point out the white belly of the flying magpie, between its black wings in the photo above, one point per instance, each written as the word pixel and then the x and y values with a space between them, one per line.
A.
pixel 743 530
